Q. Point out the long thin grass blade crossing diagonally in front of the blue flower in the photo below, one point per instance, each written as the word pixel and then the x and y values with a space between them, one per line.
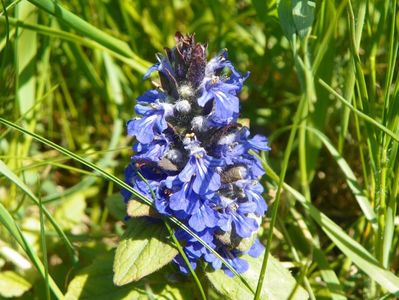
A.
pixel 124 185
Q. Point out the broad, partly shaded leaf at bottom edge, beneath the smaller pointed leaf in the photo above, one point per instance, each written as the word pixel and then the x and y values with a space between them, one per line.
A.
pixel 95 282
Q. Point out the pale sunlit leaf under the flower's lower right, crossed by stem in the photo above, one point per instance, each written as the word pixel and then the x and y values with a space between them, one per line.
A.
pixel 278 284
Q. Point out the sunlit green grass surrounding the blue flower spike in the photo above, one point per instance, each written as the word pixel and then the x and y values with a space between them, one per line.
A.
pixel 324 87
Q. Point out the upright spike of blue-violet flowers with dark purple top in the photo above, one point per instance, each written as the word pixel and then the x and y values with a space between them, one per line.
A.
pixel 194 155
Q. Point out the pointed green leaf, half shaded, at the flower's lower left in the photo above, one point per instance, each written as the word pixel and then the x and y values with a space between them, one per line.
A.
pixel 142 250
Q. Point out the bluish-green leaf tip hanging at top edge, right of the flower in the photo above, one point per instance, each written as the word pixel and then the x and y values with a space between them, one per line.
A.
pixel 303 15
